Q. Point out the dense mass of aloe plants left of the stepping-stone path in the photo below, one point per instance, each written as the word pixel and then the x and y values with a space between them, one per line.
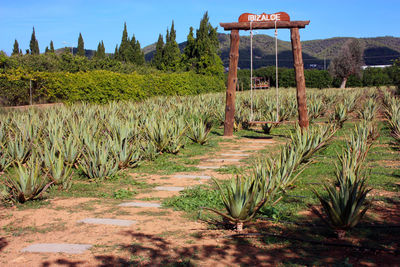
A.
pixel 42 148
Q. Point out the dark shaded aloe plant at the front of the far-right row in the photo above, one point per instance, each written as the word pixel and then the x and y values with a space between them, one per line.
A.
pixel 344 207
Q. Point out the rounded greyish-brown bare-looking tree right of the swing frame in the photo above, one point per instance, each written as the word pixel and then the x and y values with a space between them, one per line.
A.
pixel 347 62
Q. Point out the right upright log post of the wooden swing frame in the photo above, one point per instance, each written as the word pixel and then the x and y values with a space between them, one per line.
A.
pixel 300 80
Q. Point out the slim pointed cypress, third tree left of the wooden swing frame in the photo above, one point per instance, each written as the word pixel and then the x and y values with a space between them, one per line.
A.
pixel 172 54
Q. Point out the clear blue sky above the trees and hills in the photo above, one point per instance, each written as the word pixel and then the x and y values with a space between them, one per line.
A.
pixel 62 21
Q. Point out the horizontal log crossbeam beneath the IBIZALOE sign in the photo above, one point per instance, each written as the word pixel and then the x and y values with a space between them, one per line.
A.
pixel 264 25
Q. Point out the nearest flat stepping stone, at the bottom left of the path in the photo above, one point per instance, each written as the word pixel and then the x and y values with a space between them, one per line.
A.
pixel 57 248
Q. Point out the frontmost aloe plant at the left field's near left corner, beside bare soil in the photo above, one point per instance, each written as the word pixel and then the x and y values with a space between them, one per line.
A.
pixel 29 183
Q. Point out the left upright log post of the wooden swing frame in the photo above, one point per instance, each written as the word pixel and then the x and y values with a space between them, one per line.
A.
pixel 231 87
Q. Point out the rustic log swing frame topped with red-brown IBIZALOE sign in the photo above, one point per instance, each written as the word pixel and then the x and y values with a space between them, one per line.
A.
pixel 264 21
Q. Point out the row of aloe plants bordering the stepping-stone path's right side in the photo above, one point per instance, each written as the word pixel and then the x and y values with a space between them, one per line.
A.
pixel 271 177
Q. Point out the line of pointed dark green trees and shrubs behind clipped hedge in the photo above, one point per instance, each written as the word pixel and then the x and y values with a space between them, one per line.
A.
pixel 200 55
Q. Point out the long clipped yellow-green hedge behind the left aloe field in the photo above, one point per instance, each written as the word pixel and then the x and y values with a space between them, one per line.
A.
pixel 101 86
